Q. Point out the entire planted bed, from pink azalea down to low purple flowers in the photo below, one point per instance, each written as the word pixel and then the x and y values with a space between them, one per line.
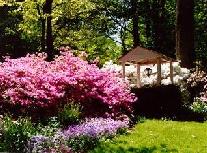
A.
pixel 70 89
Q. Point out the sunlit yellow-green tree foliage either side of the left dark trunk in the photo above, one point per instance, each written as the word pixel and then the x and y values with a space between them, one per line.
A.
pixel 75 23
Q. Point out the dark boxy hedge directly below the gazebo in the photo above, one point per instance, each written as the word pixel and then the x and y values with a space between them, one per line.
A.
pixel 158 101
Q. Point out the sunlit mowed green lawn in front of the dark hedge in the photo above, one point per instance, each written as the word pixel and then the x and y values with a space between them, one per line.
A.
pixel 154 136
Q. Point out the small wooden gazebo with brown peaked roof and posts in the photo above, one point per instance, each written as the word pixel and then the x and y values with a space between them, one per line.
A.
pixel 142 56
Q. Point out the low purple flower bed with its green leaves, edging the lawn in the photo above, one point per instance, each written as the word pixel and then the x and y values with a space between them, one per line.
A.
pixel 78 138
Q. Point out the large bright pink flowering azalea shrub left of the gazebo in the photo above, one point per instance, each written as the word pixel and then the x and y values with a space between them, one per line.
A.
pixel 31 81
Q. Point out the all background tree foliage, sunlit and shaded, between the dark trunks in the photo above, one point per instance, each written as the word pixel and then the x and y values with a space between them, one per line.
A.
pixel 102 28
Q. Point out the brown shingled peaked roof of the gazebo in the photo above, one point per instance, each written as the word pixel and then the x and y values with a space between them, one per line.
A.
pixel 144 56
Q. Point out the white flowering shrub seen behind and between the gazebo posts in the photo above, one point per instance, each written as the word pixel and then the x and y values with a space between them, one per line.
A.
pixel 131 72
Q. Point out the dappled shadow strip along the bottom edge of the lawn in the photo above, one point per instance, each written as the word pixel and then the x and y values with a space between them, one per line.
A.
pixel 119 149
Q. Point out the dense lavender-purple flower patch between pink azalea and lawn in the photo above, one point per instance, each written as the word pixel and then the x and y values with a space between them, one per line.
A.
pixel 95 127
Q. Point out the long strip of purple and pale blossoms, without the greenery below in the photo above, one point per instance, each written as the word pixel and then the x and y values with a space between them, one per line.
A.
pixel 92 128
